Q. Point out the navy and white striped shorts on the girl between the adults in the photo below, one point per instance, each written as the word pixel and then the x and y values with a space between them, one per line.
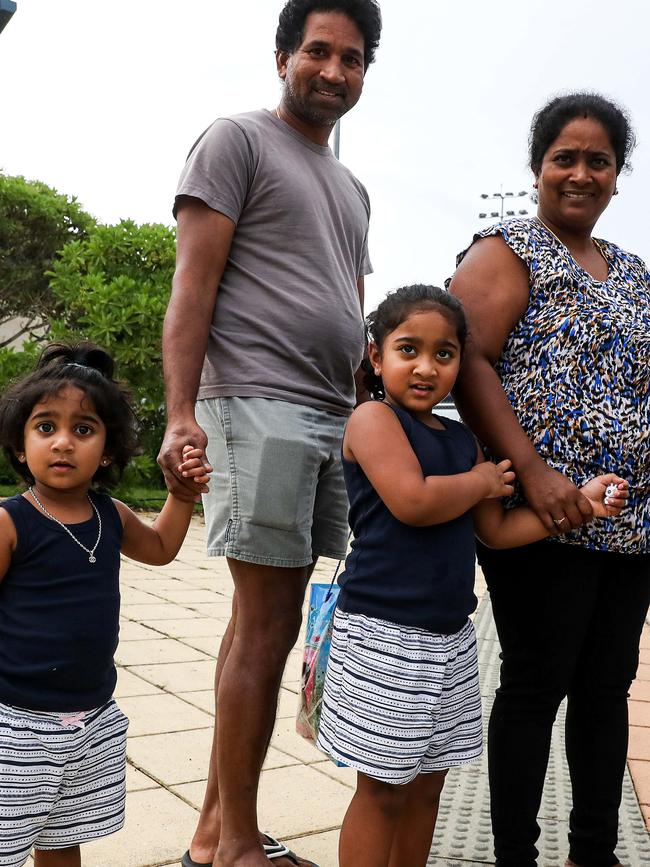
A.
pixel 400 701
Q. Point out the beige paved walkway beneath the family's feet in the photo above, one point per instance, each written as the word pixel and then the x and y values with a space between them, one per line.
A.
pixel 173 618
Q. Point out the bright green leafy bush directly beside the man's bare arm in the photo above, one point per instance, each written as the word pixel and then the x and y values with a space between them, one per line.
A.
pixel 113 288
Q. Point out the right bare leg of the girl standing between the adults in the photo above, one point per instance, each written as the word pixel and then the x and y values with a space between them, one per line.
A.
pixel 417 821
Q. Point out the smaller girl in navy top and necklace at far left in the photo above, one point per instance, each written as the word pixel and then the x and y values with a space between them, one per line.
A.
pixel 68 428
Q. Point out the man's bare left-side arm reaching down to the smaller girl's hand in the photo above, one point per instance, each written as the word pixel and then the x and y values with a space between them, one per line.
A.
pixel 204 238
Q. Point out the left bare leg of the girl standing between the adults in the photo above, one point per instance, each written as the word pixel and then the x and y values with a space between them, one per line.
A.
pixel 369 824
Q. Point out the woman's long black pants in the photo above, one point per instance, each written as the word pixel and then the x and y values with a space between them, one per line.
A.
pixel 569 621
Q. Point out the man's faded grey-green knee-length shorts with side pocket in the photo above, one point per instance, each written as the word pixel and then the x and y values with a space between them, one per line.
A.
pixel 277 495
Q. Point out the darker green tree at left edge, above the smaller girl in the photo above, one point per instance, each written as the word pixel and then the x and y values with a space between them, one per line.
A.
pixel 35 223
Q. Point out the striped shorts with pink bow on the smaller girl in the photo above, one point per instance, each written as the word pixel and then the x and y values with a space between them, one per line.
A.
pixel 62 778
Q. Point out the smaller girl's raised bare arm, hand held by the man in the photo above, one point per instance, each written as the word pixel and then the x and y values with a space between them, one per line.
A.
pixel 158 543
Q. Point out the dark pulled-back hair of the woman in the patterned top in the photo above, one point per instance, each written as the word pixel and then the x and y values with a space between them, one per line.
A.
pixel 550 120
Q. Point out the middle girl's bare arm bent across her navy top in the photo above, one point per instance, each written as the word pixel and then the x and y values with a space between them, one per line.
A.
pixel 375 439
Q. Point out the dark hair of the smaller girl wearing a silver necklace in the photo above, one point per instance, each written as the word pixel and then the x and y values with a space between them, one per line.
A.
pixel 84 366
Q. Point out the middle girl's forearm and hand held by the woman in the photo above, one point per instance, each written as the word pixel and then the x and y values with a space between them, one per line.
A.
pixel 501 528
